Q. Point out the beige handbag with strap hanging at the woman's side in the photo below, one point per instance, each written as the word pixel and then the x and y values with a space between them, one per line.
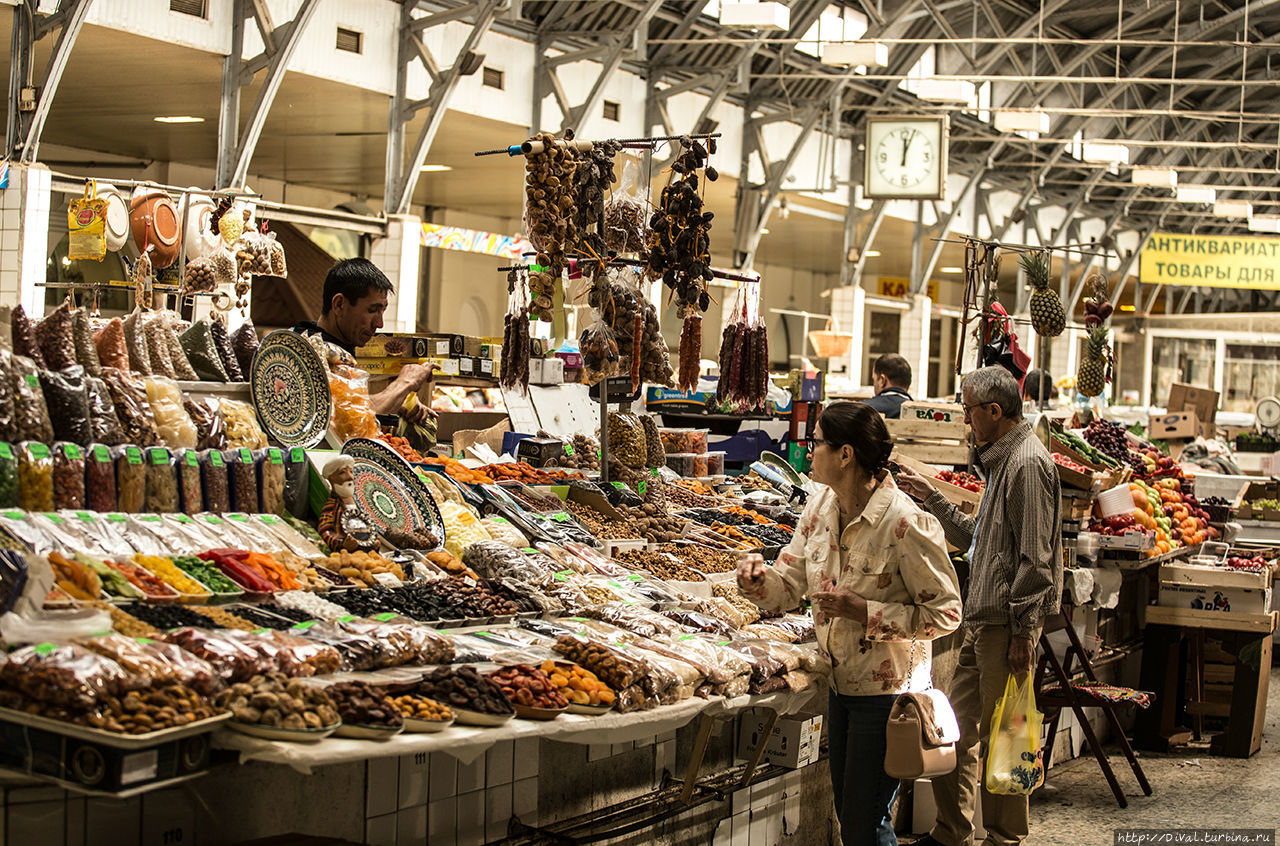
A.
pixel 921 735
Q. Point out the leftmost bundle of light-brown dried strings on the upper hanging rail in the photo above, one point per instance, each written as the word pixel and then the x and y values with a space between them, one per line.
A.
pixel 550 218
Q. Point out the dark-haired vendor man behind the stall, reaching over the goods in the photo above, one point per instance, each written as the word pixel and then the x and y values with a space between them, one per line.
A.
pixel 355 299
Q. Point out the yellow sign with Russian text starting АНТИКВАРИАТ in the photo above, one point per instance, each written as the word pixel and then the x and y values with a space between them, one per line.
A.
pixel 1210 262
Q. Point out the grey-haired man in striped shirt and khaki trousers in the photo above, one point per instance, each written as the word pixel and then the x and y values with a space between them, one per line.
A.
pixel 1016 582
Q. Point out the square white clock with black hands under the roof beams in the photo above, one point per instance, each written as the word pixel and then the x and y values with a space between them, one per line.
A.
pixel 906 158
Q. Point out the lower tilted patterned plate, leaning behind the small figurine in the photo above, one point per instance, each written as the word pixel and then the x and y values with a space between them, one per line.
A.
pixel 390 492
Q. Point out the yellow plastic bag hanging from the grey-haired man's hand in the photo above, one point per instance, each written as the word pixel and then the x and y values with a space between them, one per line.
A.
pixel 1016 761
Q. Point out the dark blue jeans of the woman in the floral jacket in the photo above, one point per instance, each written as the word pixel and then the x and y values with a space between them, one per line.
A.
pixel 865 793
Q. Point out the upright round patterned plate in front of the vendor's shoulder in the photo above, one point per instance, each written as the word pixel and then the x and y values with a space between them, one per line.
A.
pixel 291 390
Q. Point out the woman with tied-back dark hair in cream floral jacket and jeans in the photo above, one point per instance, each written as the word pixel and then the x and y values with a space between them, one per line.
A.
pixel 877 573
